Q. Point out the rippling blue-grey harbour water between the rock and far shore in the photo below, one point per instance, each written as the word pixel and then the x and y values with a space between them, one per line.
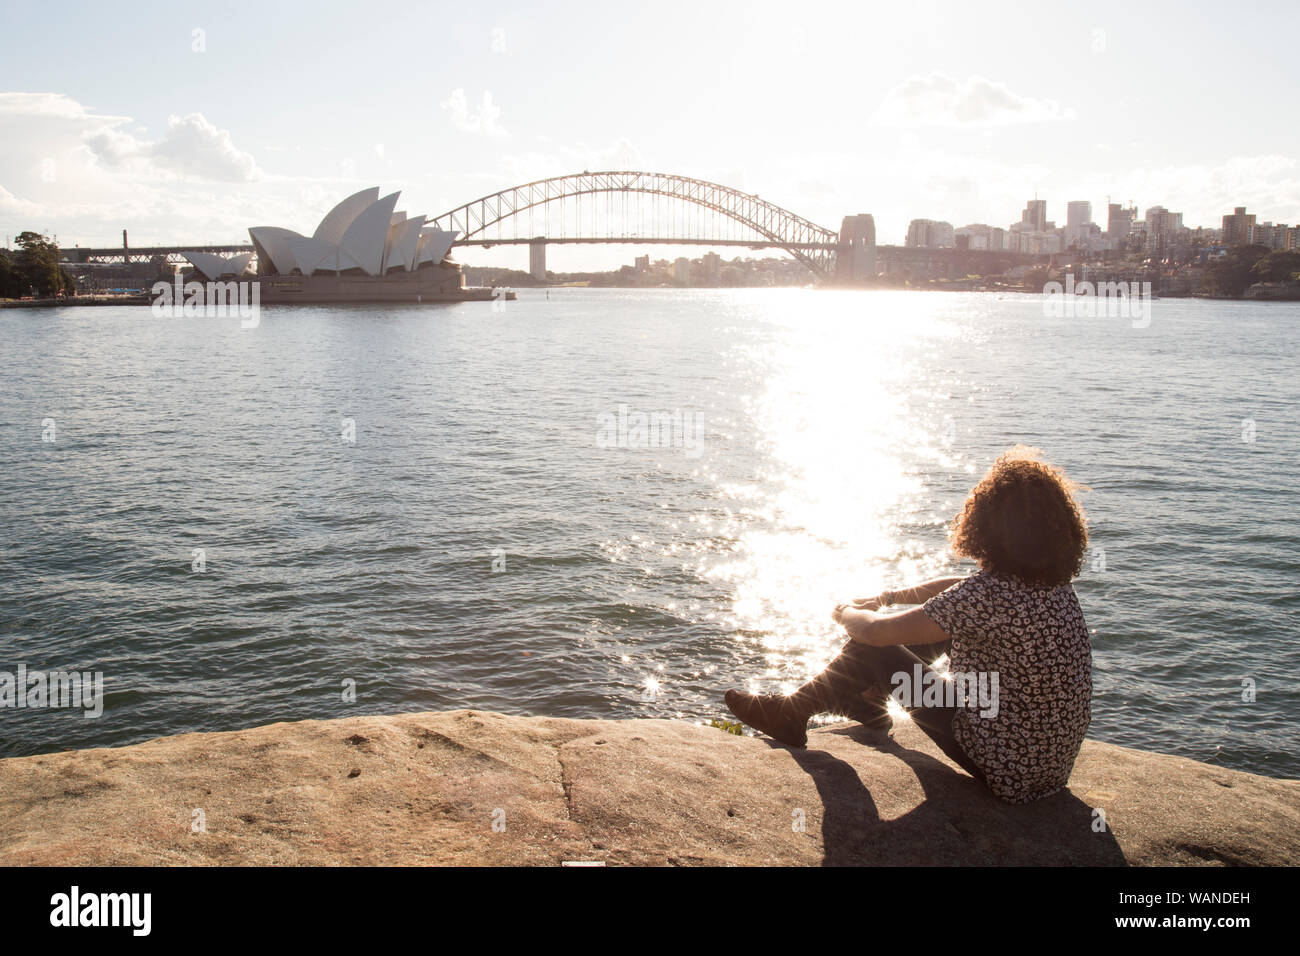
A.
pixel 379 511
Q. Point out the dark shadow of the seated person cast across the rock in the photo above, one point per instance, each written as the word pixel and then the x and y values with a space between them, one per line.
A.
pixel 959 821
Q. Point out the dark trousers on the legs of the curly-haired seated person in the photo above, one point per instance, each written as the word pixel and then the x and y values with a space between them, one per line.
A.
pixel 857 685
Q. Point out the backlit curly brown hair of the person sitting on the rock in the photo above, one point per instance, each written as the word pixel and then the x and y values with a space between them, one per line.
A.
pixel 1022 520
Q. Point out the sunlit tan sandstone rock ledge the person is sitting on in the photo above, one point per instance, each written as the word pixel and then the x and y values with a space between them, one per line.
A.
pixel 470 788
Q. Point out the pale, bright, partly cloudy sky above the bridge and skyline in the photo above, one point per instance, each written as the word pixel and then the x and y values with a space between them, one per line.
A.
pixel 188 123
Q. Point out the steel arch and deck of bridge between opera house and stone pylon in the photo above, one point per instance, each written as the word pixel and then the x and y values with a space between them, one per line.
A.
pixel 642 209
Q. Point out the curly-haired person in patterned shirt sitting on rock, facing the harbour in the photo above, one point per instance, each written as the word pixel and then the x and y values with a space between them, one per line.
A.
pixel 1015 628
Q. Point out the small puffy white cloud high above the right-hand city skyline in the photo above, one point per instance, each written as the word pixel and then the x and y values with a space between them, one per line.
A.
pixel 938 100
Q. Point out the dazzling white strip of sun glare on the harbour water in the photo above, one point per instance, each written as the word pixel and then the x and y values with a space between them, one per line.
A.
pixel 834 426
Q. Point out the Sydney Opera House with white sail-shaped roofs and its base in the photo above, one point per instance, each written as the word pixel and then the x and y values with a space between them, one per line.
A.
pixel 365 250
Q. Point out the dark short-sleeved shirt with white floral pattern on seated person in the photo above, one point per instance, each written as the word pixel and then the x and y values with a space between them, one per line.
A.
pixel 1037 642
